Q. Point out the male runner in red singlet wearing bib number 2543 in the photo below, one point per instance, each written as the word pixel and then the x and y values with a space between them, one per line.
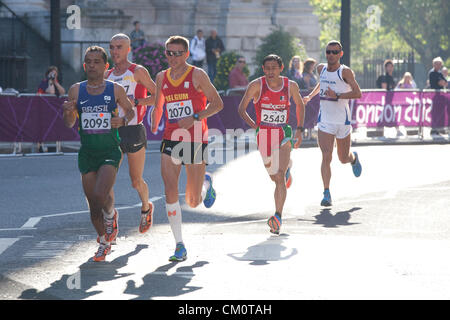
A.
pixel 271 95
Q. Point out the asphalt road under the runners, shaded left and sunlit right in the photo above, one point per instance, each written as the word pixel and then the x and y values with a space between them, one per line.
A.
pixel 387 235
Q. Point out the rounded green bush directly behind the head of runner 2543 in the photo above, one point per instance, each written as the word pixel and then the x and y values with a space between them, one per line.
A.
pixel 281 43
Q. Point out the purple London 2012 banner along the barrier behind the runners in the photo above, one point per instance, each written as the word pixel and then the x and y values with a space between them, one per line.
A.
pixel 34 118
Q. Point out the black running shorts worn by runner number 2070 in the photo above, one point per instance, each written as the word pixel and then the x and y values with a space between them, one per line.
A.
pixel 187 152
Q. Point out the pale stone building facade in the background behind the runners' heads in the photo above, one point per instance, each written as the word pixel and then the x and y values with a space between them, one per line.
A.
pixel 240 23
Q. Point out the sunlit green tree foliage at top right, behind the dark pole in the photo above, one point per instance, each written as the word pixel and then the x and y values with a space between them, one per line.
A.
pixel 422 26
